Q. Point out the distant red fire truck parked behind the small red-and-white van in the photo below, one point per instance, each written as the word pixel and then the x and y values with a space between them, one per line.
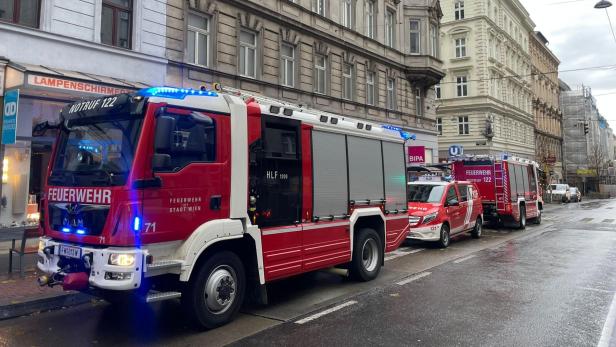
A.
pixel 508 187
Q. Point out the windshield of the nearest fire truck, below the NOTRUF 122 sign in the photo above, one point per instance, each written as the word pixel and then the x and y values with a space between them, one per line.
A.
pixel 96 151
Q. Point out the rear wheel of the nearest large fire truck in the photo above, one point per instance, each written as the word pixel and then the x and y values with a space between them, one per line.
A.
pixel 367 256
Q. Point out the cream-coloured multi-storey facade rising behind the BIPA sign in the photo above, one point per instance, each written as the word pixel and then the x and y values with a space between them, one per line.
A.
pixel 484 102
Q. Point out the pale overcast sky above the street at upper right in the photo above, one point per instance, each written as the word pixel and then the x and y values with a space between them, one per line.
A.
pixel 580 37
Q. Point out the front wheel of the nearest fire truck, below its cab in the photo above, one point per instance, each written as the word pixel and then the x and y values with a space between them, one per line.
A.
pixel 222 272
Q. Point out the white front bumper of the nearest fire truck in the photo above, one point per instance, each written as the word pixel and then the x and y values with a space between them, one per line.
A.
pixel 101 273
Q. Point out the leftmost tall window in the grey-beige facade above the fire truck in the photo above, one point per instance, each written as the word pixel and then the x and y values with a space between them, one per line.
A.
pixel 198 42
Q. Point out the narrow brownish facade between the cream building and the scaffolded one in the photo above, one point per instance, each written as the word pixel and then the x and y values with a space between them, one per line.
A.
pixel 546 107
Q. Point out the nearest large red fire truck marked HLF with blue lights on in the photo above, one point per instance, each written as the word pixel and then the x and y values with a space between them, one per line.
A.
pixel 203 195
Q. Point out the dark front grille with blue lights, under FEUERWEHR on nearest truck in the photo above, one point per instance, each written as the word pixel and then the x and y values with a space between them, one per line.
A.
pixel 77 218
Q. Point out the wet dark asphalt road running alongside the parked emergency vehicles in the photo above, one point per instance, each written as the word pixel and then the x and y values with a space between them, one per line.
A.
pixel 546 286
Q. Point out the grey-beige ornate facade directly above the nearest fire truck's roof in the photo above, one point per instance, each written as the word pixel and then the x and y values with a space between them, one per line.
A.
pixel 371 59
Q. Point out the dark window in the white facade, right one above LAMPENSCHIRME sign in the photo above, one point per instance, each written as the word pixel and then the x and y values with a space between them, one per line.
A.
pixel 116 23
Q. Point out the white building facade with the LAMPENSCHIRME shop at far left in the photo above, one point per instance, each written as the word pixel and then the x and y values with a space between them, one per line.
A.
pixel 53 52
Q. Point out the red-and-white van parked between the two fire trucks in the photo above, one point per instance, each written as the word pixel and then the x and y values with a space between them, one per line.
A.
pixel 439 210
